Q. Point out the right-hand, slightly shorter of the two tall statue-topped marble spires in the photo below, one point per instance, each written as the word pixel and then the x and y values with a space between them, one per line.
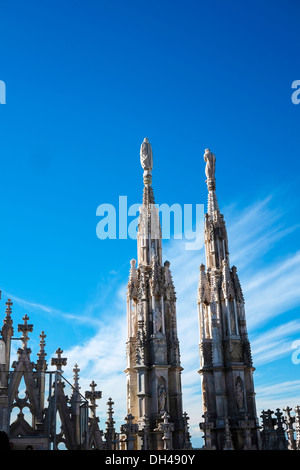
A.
pixel 225 355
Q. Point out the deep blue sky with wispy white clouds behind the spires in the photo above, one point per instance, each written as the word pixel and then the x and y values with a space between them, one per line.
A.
pixel 85 83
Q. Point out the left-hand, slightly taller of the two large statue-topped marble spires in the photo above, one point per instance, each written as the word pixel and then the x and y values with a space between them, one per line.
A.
pixel 152 348
